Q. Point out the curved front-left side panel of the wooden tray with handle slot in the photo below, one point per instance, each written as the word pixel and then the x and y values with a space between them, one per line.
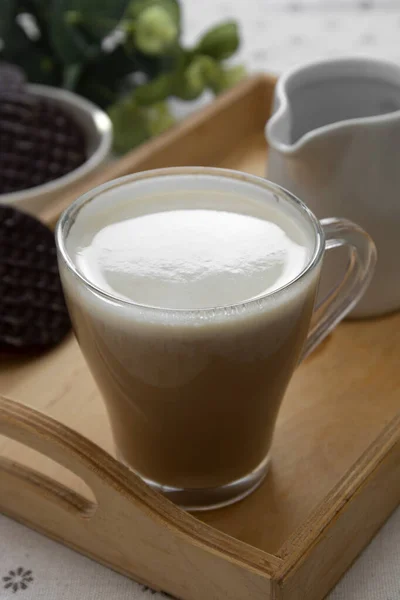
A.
pixel 131 529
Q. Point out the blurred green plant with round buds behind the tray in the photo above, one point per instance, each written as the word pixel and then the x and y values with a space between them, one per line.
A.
pixel 124 55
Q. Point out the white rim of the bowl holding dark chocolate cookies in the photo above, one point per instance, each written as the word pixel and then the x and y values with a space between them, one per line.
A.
pixel 103 125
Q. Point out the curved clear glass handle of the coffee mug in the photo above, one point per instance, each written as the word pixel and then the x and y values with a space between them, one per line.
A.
pixel 345 295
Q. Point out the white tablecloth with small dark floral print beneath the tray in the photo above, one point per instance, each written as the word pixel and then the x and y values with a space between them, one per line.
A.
pixel 277 34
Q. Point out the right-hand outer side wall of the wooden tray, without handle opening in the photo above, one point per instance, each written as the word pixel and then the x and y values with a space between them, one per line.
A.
pixel 350 505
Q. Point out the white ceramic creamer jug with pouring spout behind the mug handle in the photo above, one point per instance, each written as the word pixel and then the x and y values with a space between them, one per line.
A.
pixel 334 141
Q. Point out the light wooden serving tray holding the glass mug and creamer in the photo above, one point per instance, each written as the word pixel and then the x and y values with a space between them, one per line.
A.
pixel 335 475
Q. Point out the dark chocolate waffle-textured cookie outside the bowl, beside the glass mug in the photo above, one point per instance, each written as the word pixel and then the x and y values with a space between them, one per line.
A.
pixel 33 314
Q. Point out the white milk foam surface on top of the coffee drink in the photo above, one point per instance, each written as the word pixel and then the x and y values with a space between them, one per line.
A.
pixel 187 259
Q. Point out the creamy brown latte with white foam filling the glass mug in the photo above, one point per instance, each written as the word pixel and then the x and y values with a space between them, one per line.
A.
pixel 191 304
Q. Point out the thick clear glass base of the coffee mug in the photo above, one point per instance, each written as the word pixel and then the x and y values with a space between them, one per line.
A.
pixel 201 499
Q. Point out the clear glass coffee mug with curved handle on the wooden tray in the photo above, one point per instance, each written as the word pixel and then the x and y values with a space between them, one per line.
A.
pixel 193 394
